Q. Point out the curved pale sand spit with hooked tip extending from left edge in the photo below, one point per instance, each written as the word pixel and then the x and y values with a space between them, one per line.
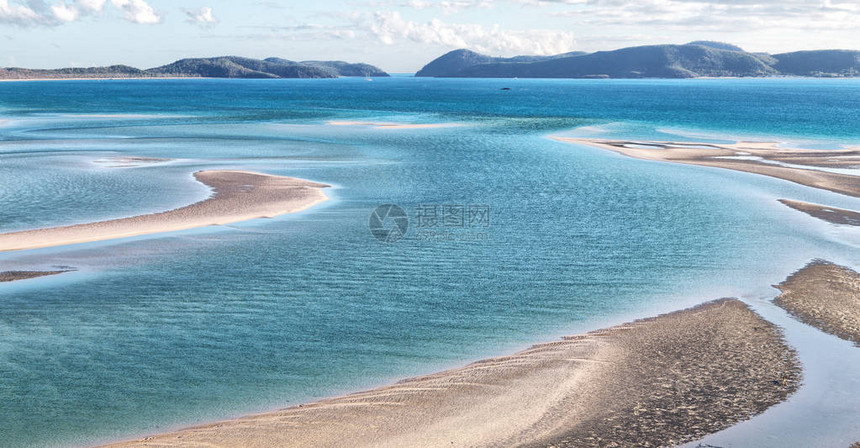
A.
pixel 238 196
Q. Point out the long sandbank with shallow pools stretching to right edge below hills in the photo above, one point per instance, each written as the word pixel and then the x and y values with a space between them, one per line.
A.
pixel 759 158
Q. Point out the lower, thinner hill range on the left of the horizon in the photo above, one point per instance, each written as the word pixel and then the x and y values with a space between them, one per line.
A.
pixel 219 67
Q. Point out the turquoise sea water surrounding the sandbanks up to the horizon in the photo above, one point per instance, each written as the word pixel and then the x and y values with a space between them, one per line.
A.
pixel 154 333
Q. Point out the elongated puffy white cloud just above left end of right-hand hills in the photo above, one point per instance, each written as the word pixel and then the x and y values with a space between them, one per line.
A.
pixel 390 27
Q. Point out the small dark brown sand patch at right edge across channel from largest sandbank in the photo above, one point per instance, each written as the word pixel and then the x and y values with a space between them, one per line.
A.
pixel 826 296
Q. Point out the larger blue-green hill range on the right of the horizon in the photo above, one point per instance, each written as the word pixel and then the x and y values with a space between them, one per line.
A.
pixel 696 59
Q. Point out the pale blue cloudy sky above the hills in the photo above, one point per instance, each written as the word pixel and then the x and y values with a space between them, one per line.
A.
pixel 400 35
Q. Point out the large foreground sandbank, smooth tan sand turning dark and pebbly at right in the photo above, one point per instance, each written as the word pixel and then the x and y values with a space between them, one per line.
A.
pixel 653 382
